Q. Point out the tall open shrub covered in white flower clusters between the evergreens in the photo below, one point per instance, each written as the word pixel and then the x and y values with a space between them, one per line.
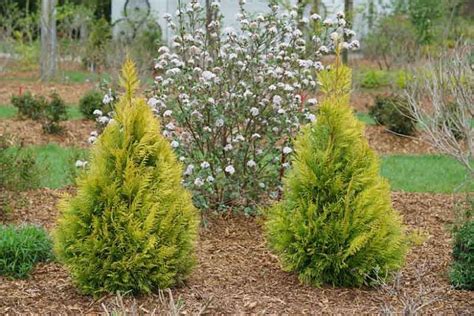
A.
pixel 230 101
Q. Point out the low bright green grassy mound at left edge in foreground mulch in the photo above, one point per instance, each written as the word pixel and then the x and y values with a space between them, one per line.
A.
pixel 21 248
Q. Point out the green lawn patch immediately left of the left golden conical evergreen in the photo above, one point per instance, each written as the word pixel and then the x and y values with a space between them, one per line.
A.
pixel 59 163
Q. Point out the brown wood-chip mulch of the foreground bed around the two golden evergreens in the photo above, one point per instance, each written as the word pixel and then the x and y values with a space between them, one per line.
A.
pixel 237 274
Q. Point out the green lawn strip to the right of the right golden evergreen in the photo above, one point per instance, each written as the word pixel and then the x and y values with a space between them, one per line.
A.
pixel 424 173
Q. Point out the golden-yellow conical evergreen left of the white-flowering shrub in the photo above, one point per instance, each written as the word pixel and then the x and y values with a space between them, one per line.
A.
pixel 131 227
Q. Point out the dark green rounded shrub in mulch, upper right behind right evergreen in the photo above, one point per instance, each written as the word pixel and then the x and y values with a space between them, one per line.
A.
pixel 392 112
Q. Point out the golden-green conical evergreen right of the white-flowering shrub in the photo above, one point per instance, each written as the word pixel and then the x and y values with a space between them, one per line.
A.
pixel 335 224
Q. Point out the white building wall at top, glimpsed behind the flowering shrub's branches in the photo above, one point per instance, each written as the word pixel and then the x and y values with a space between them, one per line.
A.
pixel 230 8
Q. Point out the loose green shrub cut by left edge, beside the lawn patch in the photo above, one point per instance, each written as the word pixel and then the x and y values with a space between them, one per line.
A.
pixel 19 169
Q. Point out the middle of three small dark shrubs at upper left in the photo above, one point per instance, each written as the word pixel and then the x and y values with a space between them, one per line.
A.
pixel 53 113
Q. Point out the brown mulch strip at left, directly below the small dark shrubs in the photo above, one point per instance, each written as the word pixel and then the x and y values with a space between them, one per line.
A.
pixel 76 132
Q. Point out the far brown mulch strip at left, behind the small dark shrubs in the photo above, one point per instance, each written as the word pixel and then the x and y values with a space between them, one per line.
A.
pixel 70 93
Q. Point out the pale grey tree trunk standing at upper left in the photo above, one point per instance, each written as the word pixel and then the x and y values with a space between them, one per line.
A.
pixel 48 60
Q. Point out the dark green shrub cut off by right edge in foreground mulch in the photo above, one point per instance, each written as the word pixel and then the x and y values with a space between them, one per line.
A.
pixel 462 270
